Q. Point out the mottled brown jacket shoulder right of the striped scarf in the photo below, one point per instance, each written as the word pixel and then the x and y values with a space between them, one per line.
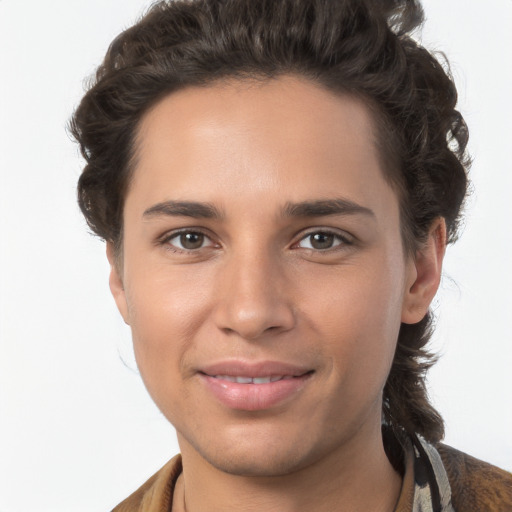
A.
pixel 476 485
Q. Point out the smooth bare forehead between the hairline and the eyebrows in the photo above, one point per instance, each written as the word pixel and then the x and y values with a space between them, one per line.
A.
pixel 274 138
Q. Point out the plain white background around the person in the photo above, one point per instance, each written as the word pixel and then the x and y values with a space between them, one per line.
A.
pixel 77 429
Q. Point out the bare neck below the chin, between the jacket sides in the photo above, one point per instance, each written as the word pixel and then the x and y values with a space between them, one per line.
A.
pixel 356 477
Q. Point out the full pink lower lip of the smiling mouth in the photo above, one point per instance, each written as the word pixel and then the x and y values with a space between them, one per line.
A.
pixel 254 397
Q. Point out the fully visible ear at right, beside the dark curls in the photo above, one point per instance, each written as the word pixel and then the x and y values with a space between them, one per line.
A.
pixel 424 274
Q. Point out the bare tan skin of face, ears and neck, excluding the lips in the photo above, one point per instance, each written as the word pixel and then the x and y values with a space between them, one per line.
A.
pixel 257 289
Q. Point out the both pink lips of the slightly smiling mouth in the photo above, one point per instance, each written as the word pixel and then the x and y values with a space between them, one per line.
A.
pixel 252 396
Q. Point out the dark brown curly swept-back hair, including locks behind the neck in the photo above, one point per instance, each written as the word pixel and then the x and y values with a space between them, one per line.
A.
pixel 358 47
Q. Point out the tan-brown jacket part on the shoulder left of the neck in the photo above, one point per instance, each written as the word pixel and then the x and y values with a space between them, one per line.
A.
pixel 155 495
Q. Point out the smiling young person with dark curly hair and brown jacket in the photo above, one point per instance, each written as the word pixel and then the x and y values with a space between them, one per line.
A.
pixel 277 182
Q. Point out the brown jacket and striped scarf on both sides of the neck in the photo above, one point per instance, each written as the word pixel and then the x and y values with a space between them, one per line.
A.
pixel 435 479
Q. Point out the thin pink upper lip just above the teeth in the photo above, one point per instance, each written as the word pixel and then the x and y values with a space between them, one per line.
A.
pixel 239 368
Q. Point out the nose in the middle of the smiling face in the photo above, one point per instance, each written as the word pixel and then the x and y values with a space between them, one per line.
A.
pixel 254 299
